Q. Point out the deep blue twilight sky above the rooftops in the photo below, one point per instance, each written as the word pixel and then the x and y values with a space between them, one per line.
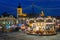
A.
pixel 50 7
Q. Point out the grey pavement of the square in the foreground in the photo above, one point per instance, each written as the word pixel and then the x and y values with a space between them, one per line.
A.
pixel 22 36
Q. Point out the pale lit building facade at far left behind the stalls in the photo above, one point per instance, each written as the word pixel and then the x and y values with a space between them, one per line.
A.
pixel 7 20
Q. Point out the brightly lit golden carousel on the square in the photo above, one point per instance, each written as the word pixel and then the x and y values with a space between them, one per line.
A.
pixel 41 26
